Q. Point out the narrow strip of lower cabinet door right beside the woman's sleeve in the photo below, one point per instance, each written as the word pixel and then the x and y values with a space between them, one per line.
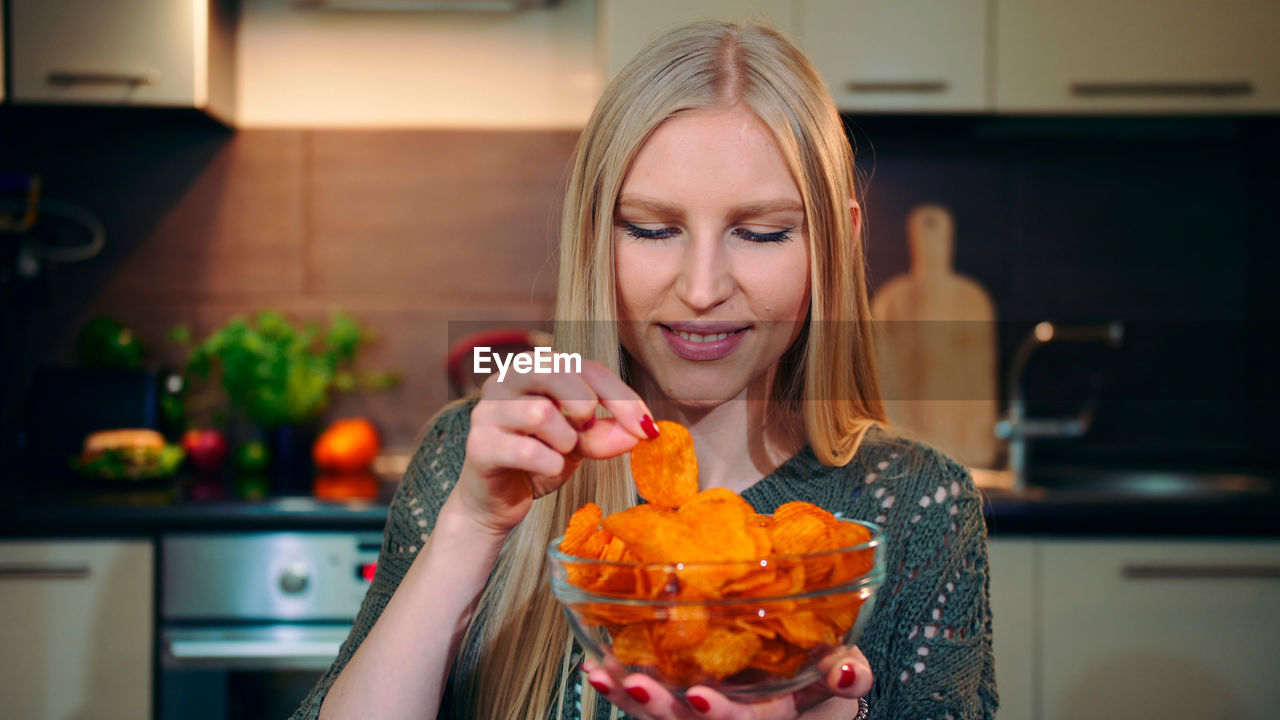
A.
pixel 1013 582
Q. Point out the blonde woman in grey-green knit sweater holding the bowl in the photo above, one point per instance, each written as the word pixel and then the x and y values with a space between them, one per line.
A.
pixel 712 268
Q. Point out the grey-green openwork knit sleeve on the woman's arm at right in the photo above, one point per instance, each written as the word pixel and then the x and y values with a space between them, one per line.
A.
pixel 939 651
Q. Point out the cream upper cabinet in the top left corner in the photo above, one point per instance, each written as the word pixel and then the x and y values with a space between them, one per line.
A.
pixel 150 53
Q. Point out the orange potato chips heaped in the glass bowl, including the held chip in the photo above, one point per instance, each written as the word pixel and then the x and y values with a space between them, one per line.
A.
pixel 720 576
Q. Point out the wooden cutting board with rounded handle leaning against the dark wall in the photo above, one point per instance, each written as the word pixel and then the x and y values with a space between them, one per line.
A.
pixel 936 347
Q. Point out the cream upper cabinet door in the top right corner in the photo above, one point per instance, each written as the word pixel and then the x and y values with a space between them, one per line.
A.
pixel 1137 56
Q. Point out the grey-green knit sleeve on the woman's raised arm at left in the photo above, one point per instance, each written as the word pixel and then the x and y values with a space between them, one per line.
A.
pixel 412 517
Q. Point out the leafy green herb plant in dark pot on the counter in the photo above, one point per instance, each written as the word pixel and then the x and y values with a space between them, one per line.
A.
pixel 282 379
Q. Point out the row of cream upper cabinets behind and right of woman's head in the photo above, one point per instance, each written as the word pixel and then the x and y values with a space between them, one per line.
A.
pixel 1008 57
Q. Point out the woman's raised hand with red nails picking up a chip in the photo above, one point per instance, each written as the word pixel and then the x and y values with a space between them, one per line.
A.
pixel 531 431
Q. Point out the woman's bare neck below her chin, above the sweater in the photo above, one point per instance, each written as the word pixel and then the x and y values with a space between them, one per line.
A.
pixel 739 441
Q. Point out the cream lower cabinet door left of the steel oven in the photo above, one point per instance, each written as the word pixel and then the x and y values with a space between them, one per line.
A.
pixel 76 630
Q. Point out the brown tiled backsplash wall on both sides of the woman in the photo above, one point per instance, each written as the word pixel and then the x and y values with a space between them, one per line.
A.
pixel 1164 224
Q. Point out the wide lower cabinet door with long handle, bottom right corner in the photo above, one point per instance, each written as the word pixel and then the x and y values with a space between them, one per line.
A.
pixel 1160 630
